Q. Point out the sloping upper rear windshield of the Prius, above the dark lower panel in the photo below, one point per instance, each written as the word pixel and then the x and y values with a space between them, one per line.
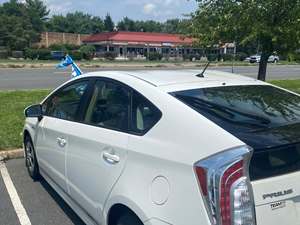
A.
pixel 244 108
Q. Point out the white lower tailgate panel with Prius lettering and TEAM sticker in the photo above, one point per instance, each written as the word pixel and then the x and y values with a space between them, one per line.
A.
pixel 277 200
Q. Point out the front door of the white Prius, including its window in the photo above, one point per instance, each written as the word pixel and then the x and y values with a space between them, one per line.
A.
pixel 60 110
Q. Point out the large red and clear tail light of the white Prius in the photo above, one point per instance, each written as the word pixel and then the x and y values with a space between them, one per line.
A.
pixel 225 186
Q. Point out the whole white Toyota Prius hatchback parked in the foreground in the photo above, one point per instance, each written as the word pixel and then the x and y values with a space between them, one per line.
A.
pixel 169 147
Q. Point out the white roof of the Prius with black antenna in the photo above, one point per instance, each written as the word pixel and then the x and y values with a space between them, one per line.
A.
pixel 180 79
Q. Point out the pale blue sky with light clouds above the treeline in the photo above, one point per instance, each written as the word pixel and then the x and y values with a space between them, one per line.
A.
pixel 159 10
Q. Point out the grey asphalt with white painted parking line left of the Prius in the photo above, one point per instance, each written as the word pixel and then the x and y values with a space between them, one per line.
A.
pixel 32 203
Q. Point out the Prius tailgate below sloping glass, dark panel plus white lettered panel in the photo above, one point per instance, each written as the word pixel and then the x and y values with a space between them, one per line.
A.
pixel 275 174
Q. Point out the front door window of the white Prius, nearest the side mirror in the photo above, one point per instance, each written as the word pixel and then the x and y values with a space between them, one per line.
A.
pixel 64 104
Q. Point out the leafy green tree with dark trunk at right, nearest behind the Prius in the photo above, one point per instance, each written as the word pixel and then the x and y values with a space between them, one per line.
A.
pixel 273 24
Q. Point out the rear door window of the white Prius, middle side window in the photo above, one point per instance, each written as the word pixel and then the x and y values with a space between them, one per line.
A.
pixel 109 106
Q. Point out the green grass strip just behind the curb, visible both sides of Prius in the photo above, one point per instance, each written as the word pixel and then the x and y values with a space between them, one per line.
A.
pixel 12 104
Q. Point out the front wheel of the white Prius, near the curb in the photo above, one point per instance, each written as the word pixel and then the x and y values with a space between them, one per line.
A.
pixel 30 159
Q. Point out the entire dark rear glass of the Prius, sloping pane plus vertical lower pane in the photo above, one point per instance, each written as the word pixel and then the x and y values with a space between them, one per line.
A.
pixel 264 117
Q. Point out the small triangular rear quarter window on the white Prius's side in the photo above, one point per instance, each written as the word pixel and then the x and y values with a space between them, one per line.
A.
pixel 144 114
